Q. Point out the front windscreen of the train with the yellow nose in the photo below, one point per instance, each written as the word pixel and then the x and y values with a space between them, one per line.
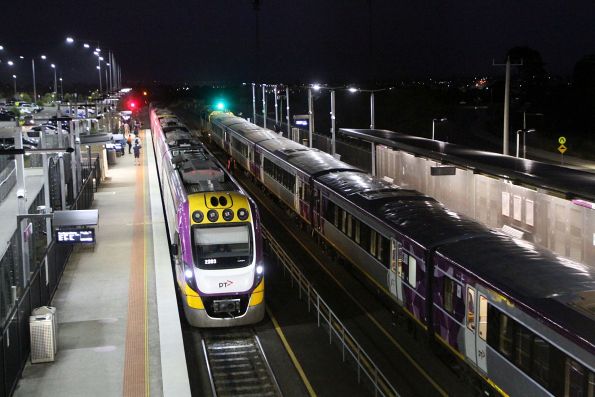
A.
pixel 222 247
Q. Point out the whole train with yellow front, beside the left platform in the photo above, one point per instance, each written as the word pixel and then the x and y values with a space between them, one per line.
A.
pixel 214 230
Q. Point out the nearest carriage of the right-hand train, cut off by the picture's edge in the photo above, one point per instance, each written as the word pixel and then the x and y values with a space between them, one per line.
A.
pixel 517 317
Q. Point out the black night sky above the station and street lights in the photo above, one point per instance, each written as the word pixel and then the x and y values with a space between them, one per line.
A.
pixel 307 41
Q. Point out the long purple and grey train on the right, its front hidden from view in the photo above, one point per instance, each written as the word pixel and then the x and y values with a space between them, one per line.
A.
pixel 521 317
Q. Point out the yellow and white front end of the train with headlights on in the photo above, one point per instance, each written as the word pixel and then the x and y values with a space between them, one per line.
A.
pixel 219 267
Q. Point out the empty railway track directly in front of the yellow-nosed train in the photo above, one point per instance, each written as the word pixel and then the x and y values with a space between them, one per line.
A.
pixel 237 365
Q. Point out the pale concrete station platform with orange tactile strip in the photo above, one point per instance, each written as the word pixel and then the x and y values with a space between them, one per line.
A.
pixel 119 331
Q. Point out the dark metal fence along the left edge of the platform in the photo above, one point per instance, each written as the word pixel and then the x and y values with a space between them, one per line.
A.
pixel 20 293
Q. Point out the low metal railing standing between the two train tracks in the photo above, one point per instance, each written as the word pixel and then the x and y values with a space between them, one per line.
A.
pixel 325 316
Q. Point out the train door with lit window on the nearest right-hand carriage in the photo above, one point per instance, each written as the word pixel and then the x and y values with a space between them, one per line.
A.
pixel 476 327
